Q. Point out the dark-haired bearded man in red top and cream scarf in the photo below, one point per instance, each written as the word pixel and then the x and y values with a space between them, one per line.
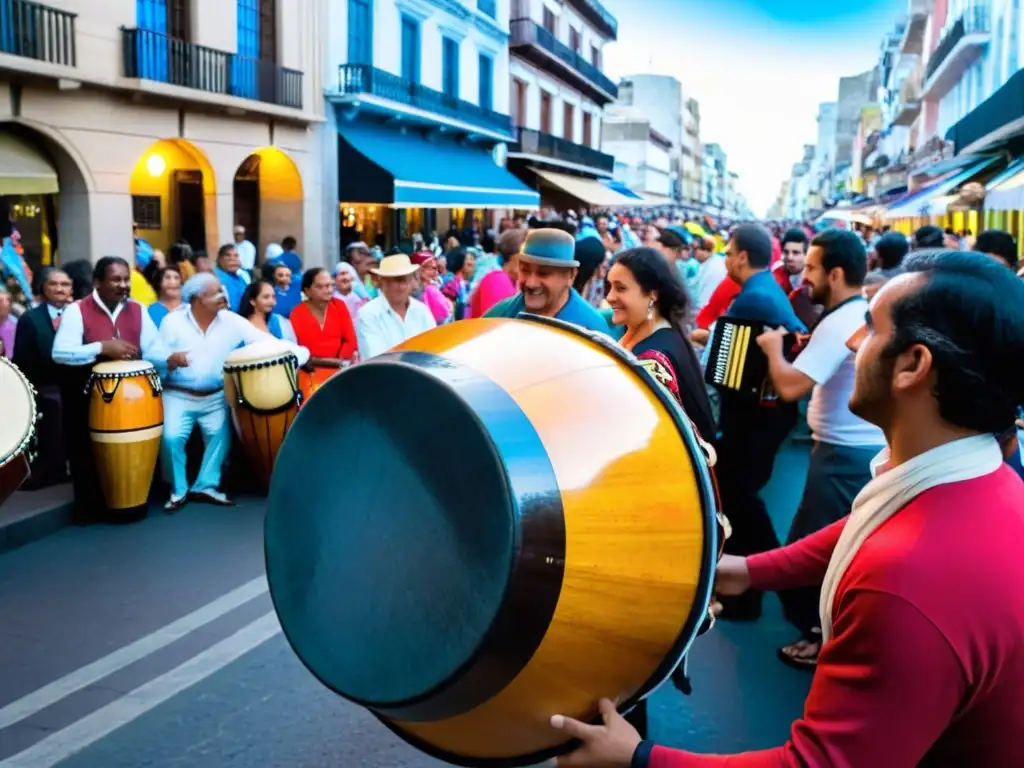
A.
pixel 922 609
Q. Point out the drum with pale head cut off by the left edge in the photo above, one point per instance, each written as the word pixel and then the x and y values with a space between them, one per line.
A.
pixel 18 428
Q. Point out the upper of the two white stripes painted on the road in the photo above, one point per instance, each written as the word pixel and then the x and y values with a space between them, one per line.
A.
pixel 84 676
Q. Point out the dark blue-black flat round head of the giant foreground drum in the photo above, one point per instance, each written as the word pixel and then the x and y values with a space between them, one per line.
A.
pixel 418 507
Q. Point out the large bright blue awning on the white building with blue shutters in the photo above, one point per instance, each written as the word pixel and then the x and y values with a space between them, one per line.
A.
pixel 380 165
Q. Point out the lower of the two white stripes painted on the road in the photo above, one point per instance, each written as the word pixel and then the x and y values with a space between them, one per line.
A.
pixel 106 720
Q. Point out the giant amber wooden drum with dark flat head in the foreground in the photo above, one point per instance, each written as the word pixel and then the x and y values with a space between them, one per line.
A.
pixel 496 522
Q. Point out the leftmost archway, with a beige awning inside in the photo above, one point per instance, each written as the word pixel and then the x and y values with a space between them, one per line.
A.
pixel 45 194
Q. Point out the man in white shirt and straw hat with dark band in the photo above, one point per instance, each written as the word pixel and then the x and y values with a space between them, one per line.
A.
pixel 395 316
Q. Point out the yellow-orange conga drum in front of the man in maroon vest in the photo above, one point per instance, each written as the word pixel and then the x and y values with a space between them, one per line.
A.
pixel 126 422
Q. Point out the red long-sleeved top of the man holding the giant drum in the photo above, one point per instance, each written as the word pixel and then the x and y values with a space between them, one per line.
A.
pixel 927 665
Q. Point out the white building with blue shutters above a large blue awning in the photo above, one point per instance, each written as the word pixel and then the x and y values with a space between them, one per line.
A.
pixel 419 122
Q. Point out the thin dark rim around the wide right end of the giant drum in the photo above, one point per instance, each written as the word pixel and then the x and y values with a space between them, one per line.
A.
pixel 705 587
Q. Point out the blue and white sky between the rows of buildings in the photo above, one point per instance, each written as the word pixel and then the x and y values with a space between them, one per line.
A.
pixel 759 69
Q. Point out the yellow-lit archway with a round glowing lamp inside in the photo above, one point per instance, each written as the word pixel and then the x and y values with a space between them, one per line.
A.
pixel 174 196
